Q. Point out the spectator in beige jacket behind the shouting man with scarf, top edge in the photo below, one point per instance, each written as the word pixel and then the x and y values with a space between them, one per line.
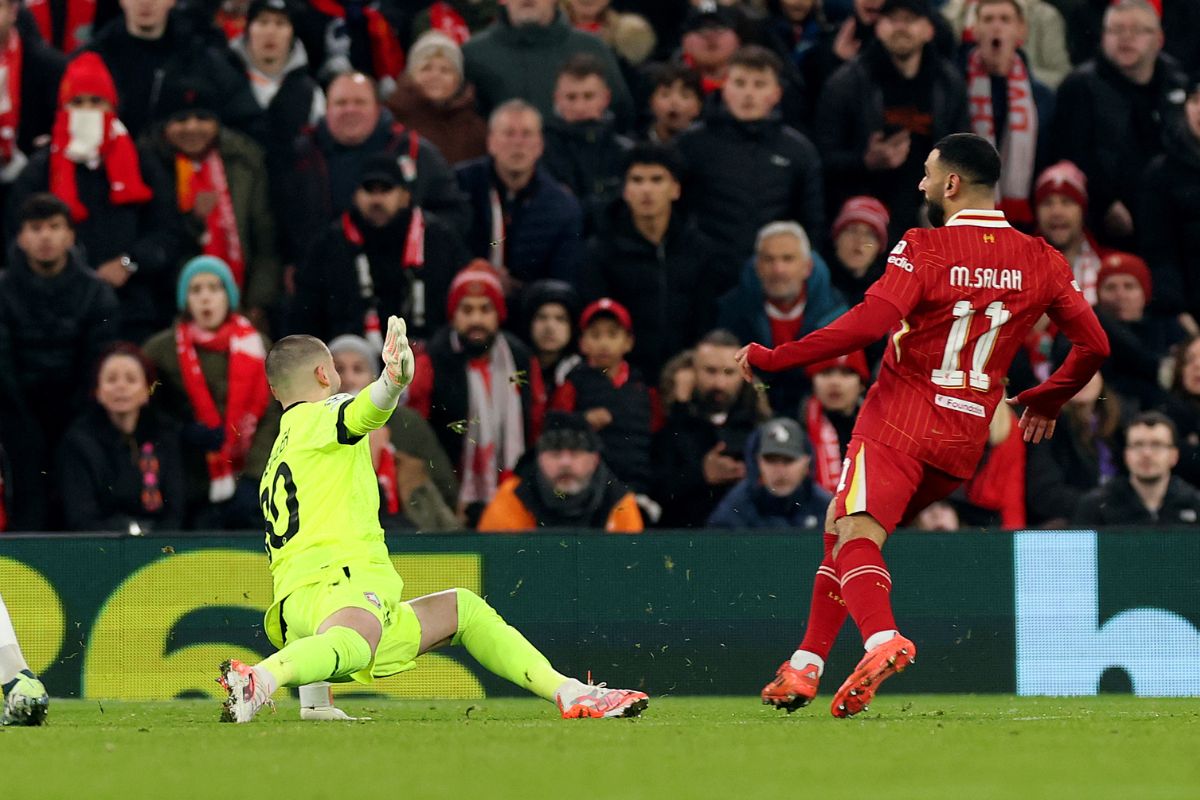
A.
pixel 1043 35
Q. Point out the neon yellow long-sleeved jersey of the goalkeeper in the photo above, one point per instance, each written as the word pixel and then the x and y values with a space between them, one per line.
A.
pixel 320 495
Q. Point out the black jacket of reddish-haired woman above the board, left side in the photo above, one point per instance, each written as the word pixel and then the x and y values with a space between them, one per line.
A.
pixel 101 477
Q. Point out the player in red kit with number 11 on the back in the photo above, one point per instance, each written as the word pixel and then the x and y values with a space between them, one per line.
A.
pixel 958 302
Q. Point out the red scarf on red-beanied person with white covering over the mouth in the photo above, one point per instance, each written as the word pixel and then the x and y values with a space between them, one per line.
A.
pixel 117 152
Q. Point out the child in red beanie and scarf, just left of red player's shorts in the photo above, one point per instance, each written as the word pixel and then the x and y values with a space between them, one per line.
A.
pixel 831 412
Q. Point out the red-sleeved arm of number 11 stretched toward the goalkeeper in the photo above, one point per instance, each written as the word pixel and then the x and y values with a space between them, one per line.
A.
pixel 865 324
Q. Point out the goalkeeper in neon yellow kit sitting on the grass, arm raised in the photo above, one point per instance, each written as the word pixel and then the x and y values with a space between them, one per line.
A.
pixel 338 613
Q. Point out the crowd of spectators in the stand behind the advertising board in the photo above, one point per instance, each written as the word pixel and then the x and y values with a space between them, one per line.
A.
pixel 583 208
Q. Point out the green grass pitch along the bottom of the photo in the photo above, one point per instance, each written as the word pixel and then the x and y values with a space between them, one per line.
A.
pixel 917 747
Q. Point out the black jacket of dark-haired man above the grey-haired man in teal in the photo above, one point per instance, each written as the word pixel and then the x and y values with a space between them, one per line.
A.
pixel 743 176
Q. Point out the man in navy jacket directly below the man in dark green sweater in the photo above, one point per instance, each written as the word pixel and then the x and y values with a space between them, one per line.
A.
pixel 526 225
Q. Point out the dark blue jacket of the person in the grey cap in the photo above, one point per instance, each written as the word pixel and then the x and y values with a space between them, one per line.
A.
pixel 751 506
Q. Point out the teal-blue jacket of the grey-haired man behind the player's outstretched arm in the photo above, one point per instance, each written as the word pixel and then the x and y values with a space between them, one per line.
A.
pixel 741 310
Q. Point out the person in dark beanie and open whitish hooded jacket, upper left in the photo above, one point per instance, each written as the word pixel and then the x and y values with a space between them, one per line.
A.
pixel 277 68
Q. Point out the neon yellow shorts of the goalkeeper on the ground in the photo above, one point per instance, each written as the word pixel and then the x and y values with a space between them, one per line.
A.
pixel 371 586
